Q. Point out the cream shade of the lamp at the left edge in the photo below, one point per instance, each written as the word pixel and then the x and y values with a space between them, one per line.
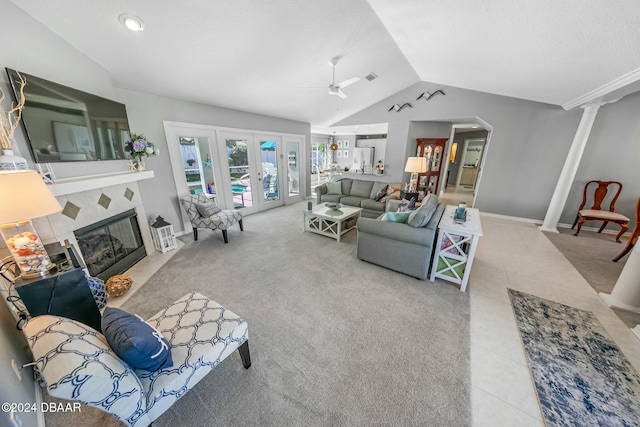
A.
pixel 24 196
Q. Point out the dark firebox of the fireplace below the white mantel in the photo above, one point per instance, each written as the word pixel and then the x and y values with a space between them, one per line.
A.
pixel 111 246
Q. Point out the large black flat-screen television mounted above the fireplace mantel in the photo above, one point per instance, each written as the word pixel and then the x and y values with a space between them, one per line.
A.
pixel 63 124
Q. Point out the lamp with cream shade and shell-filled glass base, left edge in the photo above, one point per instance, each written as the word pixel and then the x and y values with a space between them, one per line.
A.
pixel 25 196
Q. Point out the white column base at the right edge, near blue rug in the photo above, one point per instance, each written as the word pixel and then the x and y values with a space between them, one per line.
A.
pixel 626 292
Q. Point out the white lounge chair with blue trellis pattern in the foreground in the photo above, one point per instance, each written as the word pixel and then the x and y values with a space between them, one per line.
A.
pixel 76 362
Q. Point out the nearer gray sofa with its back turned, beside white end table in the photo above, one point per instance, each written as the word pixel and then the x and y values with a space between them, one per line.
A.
pixel 400 247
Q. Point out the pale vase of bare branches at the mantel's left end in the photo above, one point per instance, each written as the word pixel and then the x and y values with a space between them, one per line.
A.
pixel 8 123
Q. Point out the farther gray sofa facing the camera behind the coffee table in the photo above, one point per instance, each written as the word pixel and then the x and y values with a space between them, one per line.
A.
pixel 359 193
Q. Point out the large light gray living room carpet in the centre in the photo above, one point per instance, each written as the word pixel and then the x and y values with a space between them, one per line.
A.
pixel 334 340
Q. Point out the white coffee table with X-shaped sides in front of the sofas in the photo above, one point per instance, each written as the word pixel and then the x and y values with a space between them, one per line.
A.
pixel 329 222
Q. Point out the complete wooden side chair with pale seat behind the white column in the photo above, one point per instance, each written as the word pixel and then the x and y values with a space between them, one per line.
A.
pixel 595 213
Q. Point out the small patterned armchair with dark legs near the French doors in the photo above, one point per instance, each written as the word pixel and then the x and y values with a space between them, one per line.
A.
pixel 203 213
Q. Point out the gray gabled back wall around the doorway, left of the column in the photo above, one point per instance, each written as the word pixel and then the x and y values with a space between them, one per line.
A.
pixel 526 149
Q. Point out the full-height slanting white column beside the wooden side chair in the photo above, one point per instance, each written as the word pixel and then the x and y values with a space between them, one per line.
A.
pixel 569 169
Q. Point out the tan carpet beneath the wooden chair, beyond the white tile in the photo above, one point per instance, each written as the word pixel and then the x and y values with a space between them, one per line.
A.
pixel 591 254
